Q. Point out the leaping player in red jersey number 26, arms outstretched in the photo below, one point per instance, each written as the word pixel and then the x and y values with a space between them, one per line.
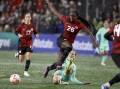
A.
pixel 72 25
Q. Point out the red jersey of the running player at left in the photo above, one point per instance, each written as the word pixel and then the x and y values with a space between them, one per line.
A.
pixel 26 31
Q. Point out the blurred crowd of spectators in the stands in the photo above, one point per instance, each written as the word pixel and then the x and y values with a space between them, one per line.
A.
pixel 12 11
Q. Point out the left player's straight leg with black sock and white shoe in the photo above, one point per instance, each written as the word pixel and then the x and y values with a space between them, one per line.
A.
pixel 28 56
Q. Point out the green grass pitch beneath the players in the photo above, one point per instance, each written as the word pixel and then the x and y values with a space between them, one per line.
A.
pixel 88 70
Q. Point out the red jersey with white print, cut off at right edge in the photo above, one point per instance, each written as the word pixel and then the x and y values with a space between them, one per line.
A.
pixel 115 33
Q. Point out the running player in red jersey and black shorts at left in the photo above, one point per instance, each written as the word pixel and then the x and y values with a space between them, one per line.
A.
pixel 25 31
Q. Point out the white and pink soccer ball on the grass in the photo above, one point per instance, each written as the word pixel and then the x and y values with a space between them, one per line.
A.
pixel 15 79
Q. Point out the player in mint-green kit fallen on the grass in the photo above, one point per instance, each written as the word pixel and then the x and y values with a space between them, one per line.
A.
pixel 68 71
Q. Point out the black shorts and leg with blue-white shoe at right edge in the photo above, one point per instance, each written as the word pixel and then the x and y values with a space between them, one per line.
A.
pixel 115 79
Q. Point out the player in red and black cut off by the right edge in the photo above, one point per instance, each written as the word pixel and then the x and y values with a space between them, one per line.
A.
pixel 114 36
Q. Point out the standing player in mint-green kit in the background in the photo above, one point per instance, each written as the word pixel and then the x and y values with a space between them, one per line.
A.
pixel 102 42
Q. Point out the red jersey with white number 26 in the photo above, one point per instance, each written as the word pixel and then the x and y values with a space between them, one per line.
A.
pixel 71 29
